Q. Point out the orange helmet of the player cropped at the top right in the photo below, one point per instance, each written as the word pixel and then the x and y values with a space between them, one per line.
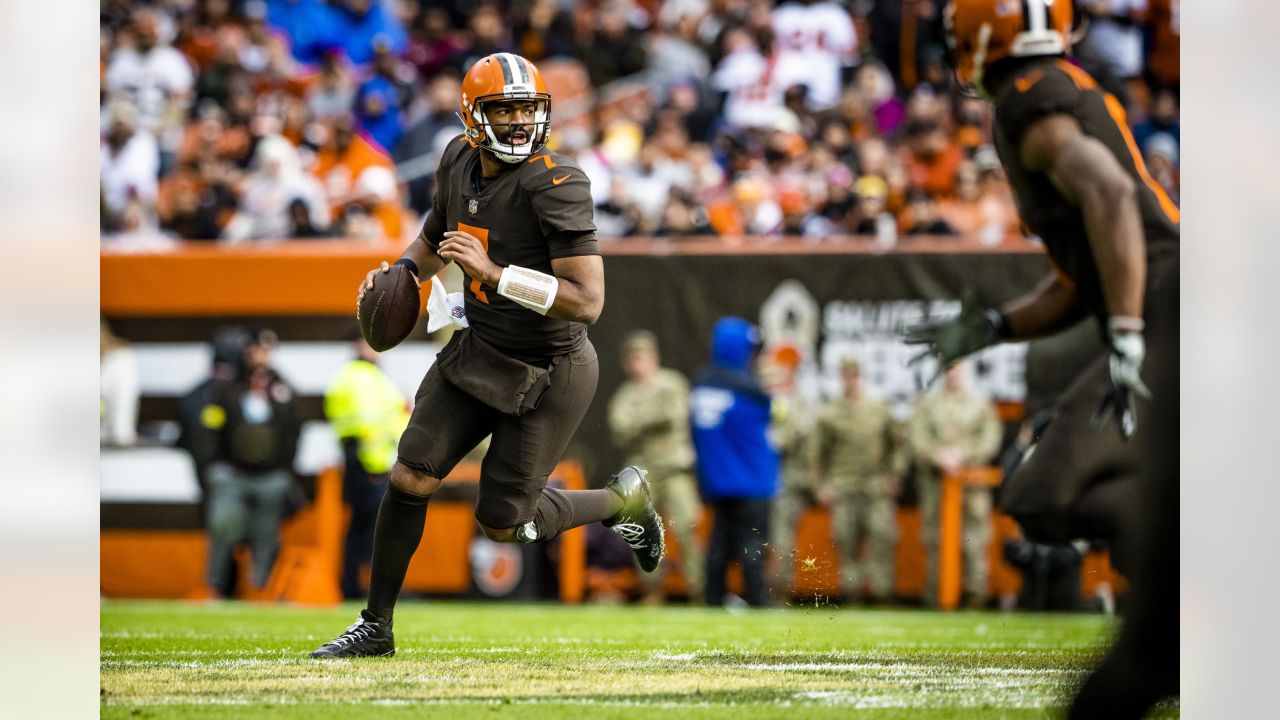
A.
pixel 981 33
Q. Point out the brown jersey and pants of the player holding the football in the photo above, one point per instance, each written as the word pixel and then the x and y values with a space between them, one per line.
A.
pixel 537 212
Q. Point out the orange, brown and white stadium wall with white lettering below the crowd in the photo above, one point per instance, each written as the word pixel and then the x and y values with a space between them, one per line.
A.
pixel 816 304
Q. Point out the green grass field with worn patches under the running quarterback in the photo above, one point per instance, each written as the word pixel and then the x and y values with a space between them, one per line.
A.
pixel 550 662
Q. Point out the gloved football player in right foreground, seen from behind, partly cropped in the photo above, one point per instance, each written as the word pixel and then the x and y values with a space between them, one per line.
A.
pixel 1113 239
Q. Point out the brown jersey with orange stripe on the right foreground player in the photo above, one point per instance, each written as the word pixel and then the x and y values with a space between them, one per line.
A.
pixel 1059 88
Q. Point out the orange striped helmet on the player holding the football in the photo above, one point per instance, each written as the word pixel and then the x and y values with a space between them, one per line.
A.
pixel 505 78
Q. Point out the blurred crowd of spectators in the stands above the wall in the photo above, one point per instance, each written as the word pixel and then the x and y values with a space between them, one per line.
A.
pixel 266 120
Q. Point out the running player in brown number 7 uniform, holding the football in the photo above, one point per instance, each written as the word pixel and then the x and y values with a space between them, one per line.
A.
pixel 518 220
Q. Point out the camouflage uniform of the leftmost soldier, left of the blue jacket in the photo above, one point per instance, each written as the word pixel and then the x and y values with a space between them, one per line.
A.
pixel 651 423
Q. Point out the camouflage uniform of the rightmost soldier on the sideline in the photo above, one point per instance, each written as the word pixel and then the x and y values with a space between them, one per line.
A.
pixel 968 422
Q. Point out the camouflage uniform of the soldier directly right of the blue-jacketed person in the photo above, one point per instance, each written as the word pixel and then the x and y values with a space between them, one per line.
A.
pixel 793 422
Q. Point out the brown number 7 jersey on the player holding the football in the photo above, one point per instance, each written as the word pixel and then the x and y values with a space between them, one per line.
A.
pixel 529 216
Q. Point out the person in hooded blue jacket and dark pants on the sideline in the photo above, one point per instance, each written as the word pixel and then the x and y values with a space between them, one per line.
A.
pixel 738 464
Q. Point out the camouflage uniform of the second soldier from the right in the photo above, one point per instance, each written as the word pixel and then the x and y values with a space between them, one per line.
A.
pixel 857 452
